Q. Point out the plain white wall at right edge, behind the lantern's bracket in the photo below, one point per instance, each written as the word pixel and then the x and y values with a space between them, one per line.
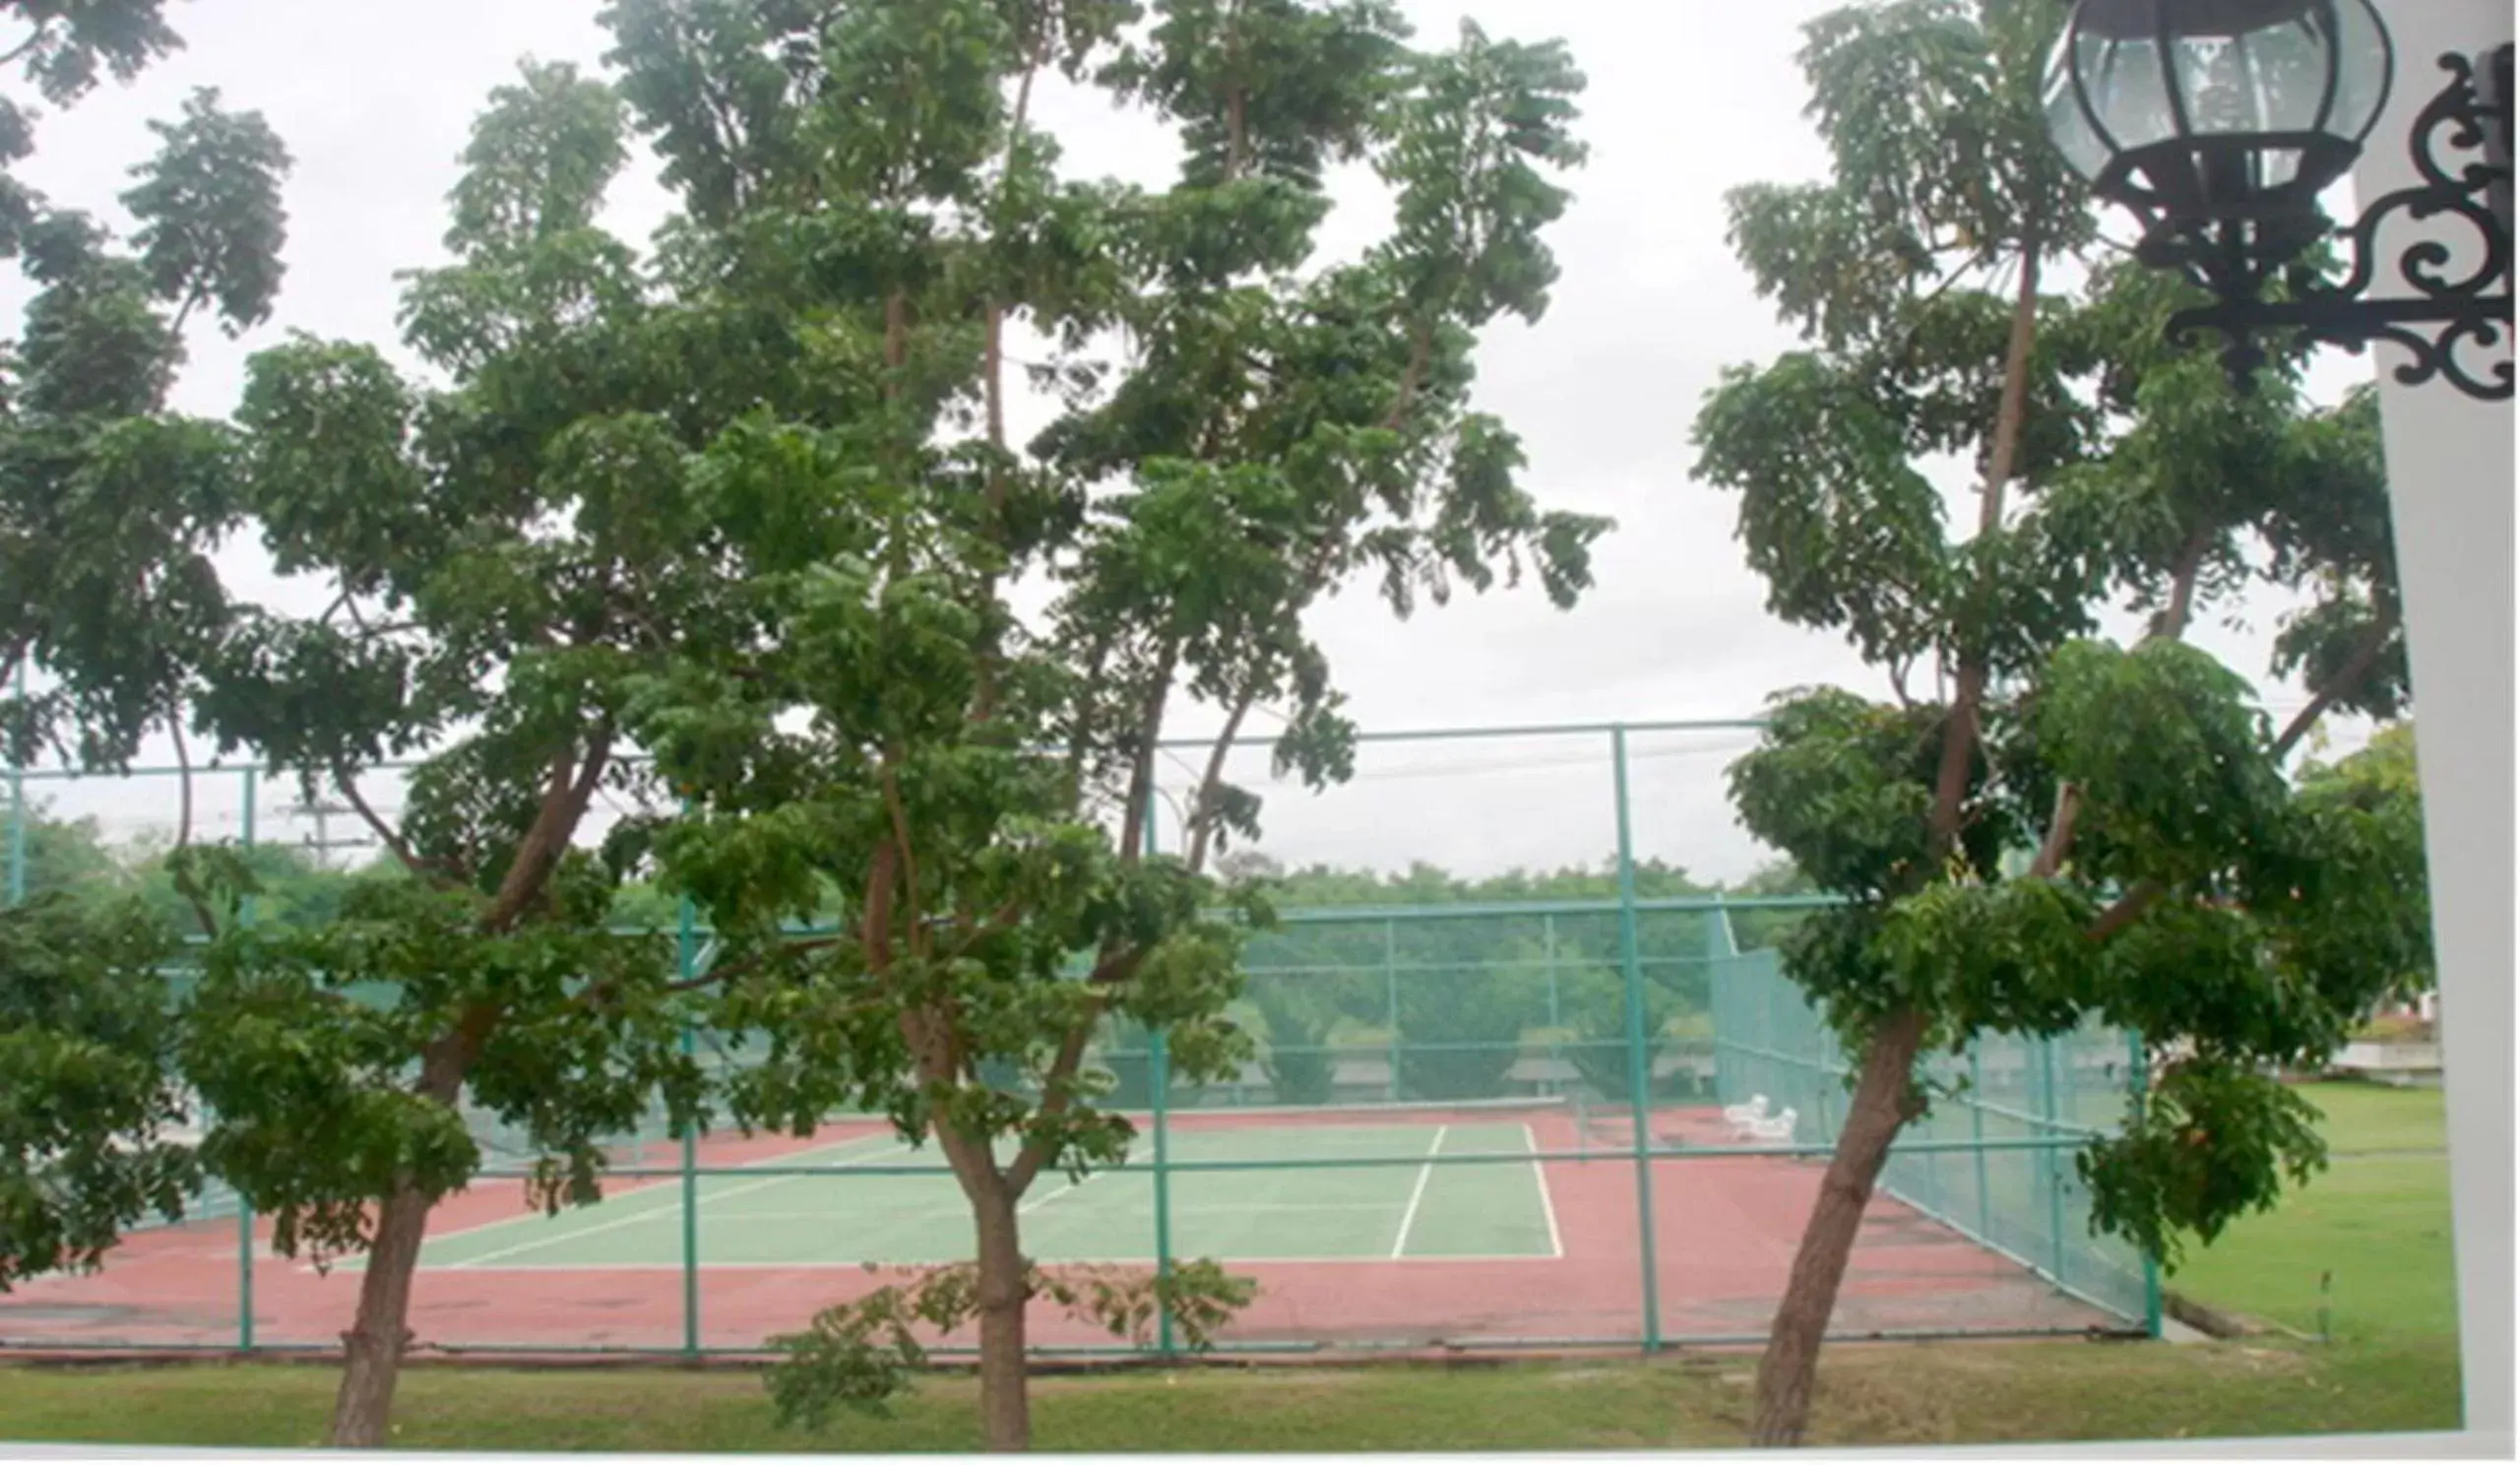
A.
pixel 2451 480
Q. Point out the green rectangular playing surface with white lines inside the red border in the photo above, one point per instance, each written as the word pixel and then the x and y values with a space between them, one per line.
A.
pixel 843 1219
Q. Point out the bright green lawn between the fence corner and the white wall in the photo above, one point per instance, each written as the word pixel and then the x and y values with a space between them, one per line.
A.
pixel 2378 1224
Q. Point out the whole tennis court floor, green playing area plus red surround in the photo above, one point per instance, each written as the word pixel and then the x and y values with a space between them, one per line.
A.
pixel 1440 1227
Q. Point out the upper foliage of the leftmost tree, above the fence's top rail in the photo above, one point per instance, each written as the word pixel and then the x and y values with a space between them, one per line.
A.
pixel 107 501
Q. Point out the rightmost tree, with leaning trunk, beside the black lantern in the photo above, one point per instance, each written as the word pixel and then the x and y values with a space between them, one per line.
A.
pixel 2065 828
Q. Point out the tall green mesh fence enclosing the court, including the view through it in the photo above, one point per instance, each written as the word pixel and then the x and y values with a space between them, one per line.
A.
pixel 1486 1108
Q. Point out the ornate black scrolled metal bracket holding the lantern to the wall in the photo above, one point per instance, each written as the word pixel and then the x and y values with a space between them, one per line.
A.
pixel 2446 314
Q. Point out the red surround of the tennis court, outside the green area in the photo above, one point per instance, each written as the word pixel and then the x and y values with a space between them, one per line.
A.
pixel 1725 1239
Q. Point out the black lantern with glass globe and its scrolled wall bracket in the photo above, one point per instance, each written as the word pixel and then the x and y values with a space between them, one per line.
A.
pixel 2221 122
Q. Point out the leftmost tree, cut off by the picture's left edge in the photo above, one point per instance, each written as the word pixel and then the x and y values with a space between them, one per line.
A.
pixel 107 594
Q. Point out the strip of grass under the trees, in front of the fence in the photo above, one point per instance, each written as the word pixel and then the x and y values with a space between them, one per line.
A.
pixel 1874 1396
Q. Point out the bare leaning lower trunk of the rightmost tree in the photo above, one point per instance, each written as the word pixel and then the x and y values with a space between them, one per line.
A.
pixel 1811 1295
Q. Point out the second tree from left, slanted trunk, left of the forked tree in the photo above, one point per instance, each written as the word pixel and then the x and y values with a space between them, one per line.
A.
pixel 508 559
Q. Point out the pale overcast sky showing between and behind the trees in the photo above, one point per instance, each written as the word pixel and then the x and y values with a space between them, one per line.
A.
pixel 1687 100
